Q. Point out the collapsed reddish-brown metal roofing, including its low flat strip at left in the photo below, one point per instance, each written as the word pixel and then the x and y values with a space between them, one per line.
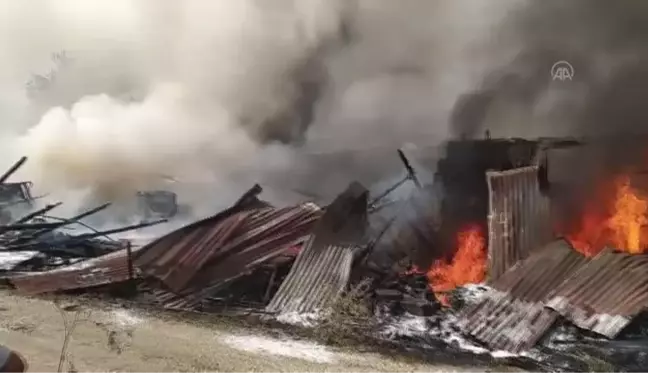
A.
pixel 197 259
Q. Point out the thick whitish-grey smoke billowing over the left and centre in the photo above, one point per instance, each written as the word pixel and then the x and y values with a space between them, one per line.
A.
pixel 218 95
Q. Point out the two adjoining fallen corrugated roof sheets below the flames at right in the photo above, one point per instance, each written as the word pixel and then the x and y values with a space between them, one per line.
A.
pixel 602 294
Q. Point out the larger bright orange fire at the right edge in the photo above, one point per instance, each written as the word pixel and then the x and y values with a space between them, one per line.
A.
pixel 620 223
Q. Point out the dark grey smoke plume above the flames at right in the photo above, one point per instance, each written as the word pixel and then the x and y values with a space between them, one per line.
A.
pixel 606 43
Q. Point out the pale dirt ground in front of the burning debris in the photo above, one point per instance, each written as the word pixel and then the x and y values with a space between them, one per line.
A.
pixel 118 340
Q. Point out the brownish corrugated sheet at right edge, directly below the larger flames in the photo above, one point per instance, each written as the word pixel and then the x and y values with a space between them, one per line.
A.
pixel 604 295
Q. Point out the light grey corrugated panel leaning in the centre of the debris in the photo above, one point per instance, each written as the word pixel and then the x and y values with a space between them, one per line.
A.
pixel 317 278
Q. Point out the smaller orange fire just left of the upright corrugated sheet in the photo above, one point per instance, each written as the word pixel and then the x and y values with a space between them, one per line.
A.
pixel 468 266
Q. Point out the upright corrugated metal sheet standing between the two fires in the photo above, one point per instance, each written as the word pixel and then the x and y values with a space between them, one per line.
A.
pixel 518 218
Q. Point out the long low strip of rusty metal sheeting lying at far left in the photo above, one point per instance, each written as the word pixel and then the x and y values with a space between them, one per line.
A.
pixel 110 268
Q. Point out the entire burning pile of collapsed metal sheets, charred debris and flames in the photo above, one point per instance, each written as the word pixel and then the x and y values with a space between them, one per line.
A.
pixel 495 224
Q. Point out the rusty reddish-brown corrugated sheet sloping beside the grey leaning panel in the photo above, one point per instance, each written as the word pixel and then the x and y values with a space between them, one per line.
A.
pixel 217 250
